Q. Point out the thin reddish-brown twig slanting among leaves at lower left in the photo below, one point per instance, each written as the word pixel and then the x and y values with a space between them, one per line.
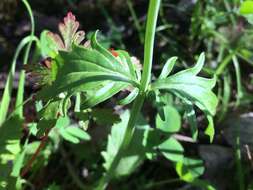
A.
pixel 35 155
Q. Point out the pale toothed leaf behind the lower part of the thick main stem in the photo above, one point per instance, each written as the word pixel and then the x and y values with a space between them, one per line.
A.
pixel 134 155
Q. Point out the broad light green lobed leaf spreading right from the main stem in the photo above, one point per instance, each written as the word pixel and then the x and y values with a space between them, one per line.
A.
pixel 187 85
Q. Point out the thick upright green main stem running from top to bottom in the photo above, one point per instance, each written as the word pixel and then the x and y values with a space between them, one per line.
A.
pixel 145 80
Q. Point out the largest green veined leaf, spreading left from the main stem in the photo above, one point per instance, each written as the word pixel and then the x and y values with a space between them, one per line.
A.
pixel 93 71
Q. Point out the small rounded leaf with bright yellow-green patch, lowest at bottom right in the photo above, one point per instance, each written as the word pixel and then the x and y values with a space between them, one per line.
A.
pixel 189 169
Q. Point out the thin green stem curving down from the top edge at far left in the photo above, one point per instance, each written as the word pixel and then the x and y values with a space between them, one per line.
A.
pixel 20 93
